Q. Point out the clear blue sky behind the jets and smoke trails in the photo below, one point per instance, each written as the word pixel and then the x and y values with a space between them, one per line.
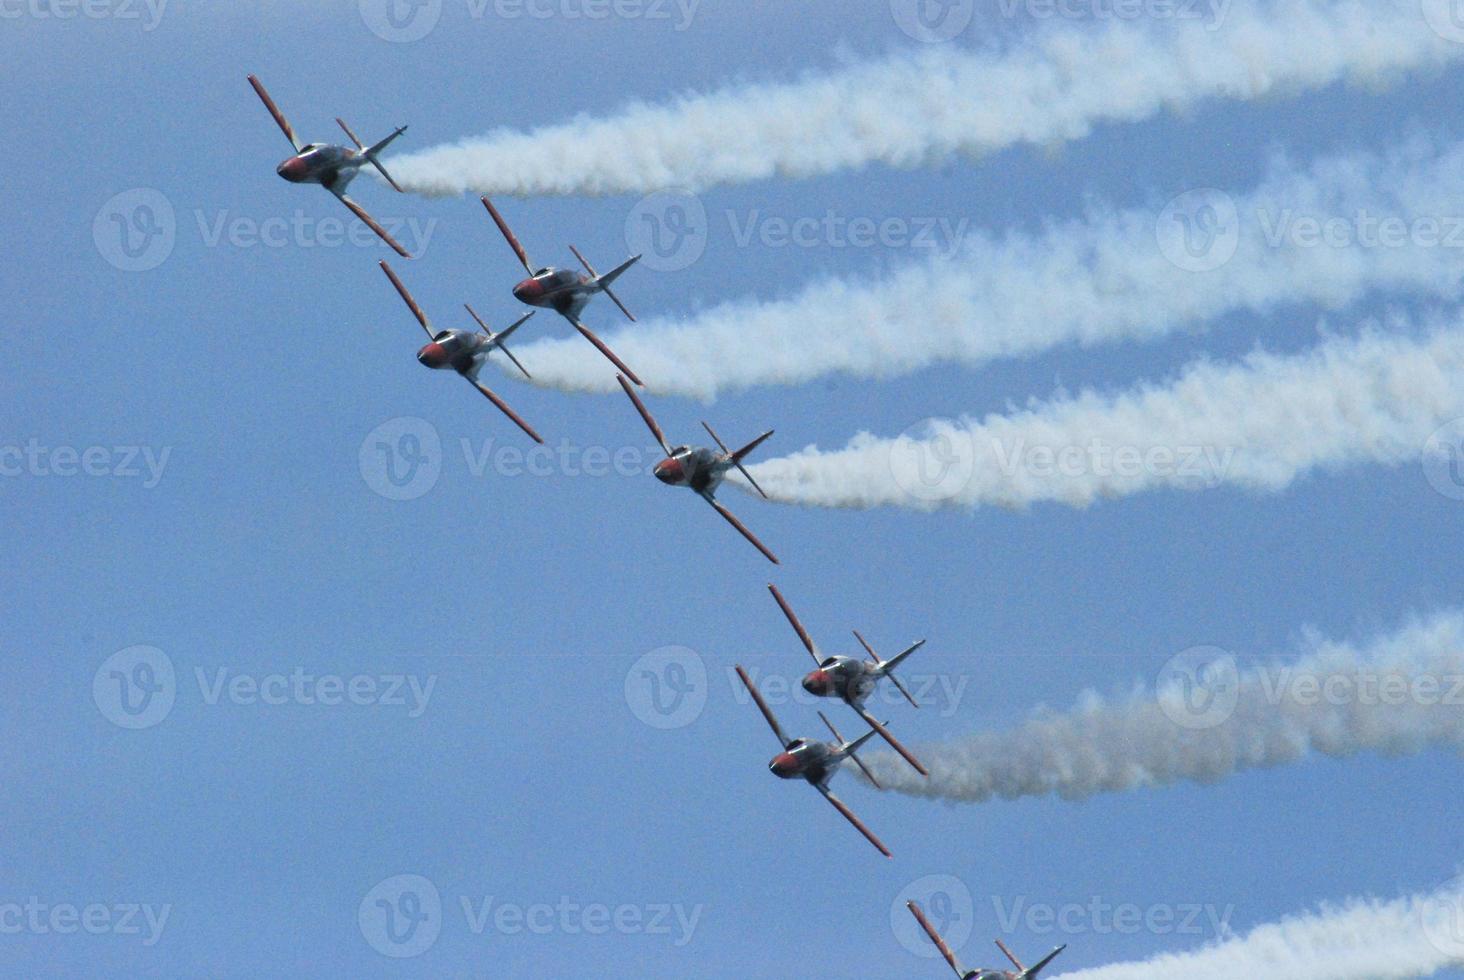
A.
pixel 526 601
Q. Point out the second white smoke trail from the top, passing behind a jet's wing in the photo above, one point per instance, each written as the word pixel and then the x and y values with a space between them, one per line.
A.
pixel 1326 235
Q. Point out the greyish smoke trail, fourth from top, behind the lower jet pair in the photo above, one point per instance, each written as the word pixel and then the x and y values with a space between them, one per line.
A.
pixel 1209 720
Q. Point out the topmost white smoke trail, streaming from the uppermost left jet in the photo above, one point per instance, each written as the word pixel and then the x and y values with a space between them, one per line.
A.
pixel 922 109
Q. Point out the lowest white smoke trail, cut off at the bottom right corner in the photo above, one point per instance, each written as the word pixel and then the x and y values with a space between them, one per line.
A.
pixel 1362 940
